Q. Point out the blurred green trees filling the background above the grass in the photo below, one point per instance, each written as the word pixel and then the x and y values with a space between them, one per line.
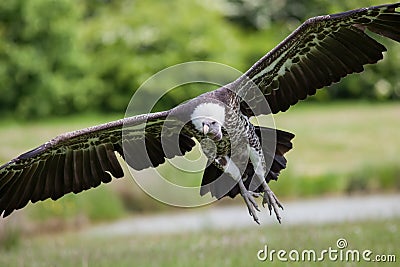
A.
pixel 67 56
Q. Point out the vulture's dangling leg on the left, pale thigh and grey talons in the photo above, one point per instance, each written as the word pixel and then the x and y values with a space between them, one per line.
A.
pixel 230 167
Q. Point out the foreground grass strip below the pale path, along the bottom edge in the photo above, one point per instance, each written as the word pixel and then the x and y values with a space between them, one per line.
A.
pixel 205 248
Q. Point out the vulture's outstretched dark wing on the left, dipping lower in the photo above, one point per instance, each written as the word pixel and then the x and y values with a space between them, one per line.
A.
pixel 83 159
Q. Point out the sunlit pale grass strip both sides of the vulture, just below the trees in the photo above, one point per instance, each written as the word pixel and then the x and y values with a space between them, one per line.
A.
pixel 338 137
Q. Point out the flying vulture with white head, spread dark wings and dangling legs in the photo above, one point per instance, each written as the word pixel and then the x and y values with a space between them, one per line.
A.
pixel 320 52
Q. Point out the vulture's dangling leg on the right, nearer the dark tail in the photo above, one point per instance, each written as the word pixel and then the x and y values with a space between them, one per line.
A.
pixel 269 198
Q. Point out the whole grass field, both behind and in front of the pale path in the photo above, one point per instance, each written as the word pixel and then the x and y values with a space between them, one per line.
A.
pixel 336 146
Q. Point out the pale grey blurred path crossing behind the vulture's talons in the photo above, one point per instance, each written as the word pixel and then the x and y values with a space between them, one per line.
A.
pixel 314 211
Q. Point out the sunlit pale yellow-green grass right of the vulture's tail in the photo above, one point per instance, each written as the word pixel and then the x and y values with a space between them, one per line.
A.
pixel 341 137
